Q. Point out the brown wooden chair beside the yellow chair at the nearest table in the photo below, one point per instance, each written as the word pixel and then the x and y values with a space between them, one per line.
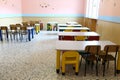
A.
pixel 91 55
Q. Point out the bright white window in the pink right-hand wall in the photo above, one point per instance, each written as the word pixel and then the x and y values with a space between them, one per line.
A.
pixel 92 9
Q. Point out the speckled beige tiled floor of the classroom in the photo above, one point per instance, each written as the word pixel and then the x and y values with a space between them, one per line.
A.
pixel 35 60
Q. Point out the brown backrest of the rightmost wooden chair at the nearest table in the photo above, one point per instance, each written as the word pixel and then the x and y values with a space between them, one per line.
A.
pixel 111 48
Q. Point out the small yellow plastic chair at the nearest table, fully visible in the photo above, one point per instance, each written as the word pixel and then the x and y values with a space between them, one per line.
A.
pixel 70 57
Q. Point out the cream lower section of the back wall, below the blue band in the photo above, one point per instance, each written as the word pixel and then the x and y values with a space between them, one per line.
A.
pixel 54 19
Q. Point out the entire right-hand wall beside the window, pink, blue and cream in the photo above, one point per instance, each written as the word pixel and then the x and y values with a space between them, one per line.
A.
pixel 109 25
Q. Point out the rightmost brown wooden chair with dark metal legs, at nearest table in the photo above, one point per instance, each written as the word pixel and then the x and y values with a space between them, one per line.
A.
pixel 109 54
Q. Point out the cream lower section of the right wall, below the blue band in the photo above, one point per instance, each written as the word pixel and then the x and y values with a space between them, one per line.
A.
pixel 109 31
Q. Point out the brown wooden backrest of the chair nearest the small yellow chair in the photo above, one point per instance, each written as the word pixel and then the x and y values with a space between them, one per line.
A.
pixel 93 49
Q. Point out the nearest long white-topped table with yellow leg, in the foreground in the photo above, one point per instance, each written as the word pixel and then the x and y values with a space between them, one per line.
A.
pixel 76 45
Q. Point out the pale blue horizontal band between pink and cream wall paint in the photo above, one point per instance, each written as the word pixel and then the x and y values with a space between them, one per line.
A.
pixel 105 18
